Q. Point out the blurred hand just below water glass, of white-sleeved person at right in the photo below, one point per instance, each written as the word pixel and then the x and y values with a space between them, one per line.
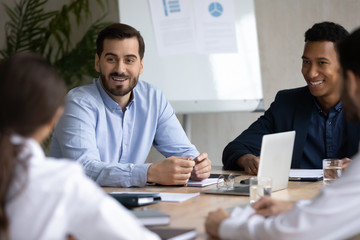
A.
pixel 267 206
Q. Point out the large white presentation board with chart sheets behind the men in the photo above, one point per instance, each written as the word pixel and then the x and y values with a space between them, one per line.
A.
pixel 203 54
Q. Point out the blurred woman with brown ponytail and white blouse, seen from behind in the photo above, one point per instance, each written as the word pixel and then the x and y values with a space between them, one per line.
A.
pixel 43 198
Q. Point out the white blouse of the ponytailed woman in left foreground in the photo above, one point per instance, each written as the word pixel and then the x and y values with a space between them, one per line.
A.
pixel 57 199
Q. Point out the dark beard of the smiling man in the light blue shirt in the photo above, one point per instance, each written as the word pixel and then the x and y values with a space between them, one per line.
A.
pixel 118 90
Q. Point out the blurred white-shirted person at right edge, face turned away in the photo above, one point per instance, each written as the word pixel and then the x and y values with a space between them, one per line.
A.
pixel 334 213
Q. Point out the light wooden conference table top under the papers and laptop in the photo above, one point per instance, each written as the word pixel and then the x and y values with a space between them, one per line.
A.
pixel 191 213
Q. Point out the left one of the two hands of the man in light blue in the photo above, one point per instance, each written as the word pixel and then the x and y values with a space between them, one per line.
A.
pixel 170 171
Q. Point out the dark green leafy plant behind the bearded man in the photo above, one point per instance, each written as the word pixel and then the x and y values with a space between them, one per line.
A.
pixel 50 34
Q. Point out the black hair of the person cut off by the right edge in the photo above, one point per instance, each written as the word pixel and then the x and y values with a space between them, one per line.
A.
pixel 349 53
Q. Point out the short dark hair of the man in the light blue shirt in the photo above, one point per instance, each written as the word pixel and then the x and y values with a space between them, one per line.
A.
pixel 119 31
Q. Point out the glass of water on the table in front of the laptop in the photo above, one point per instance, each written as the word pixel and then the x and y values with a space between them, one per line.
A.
pixel 259 186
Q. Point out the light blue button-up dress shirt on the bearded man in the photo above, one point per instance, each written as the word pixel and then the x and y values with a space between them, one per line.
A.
pixel 113 145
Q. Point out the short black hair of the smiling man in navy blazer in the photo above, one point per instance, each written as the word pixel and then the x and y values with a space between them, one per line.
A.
pixel 326 31
